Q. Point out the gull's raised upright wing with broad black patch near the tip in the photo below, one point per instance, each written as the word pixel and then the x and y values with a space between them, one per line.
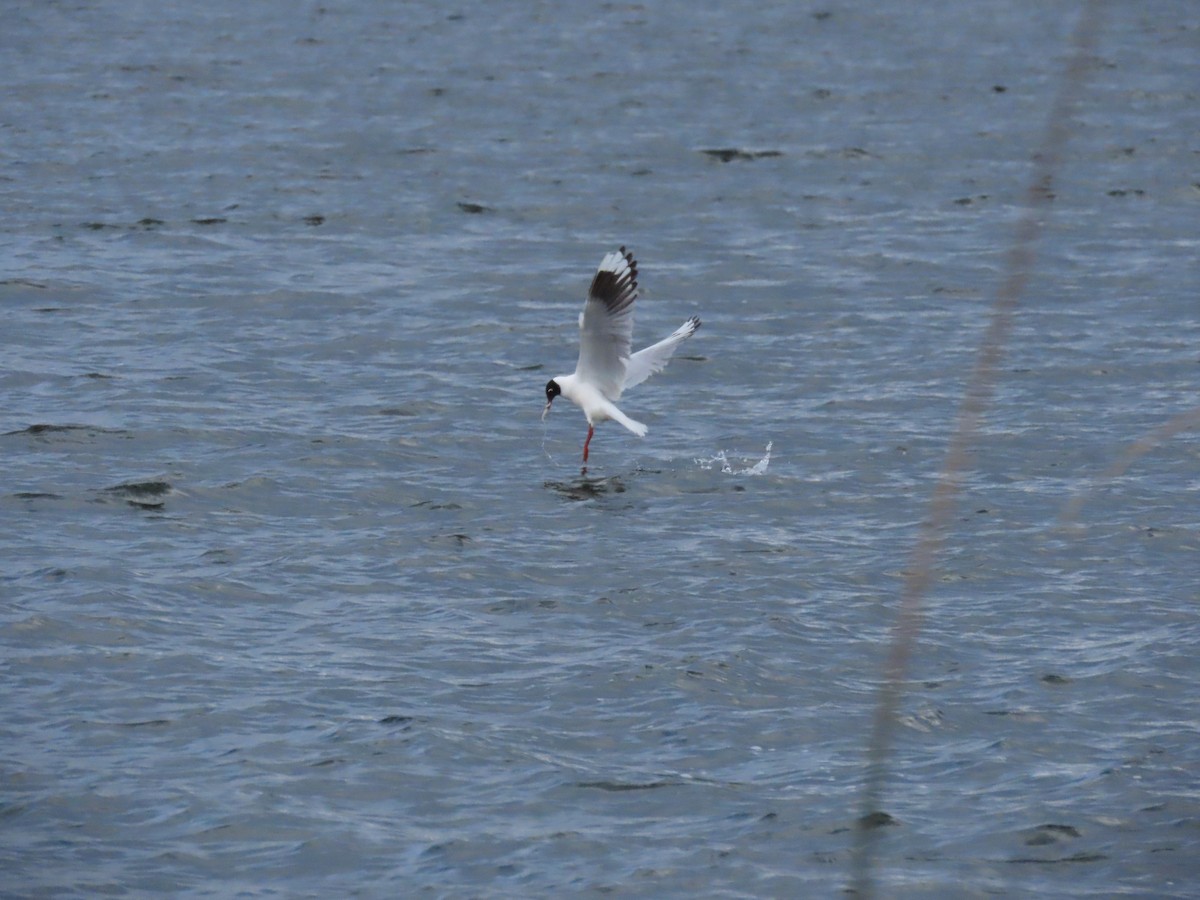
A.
pixel 607 327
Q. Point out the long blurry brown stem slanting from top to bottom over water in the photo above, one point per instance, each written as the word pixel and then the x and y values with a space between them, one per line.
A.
pixel 920 573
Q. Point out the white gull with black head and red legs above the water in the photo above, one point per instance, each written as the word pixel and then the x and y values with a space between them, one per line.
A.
pixel 607 334
